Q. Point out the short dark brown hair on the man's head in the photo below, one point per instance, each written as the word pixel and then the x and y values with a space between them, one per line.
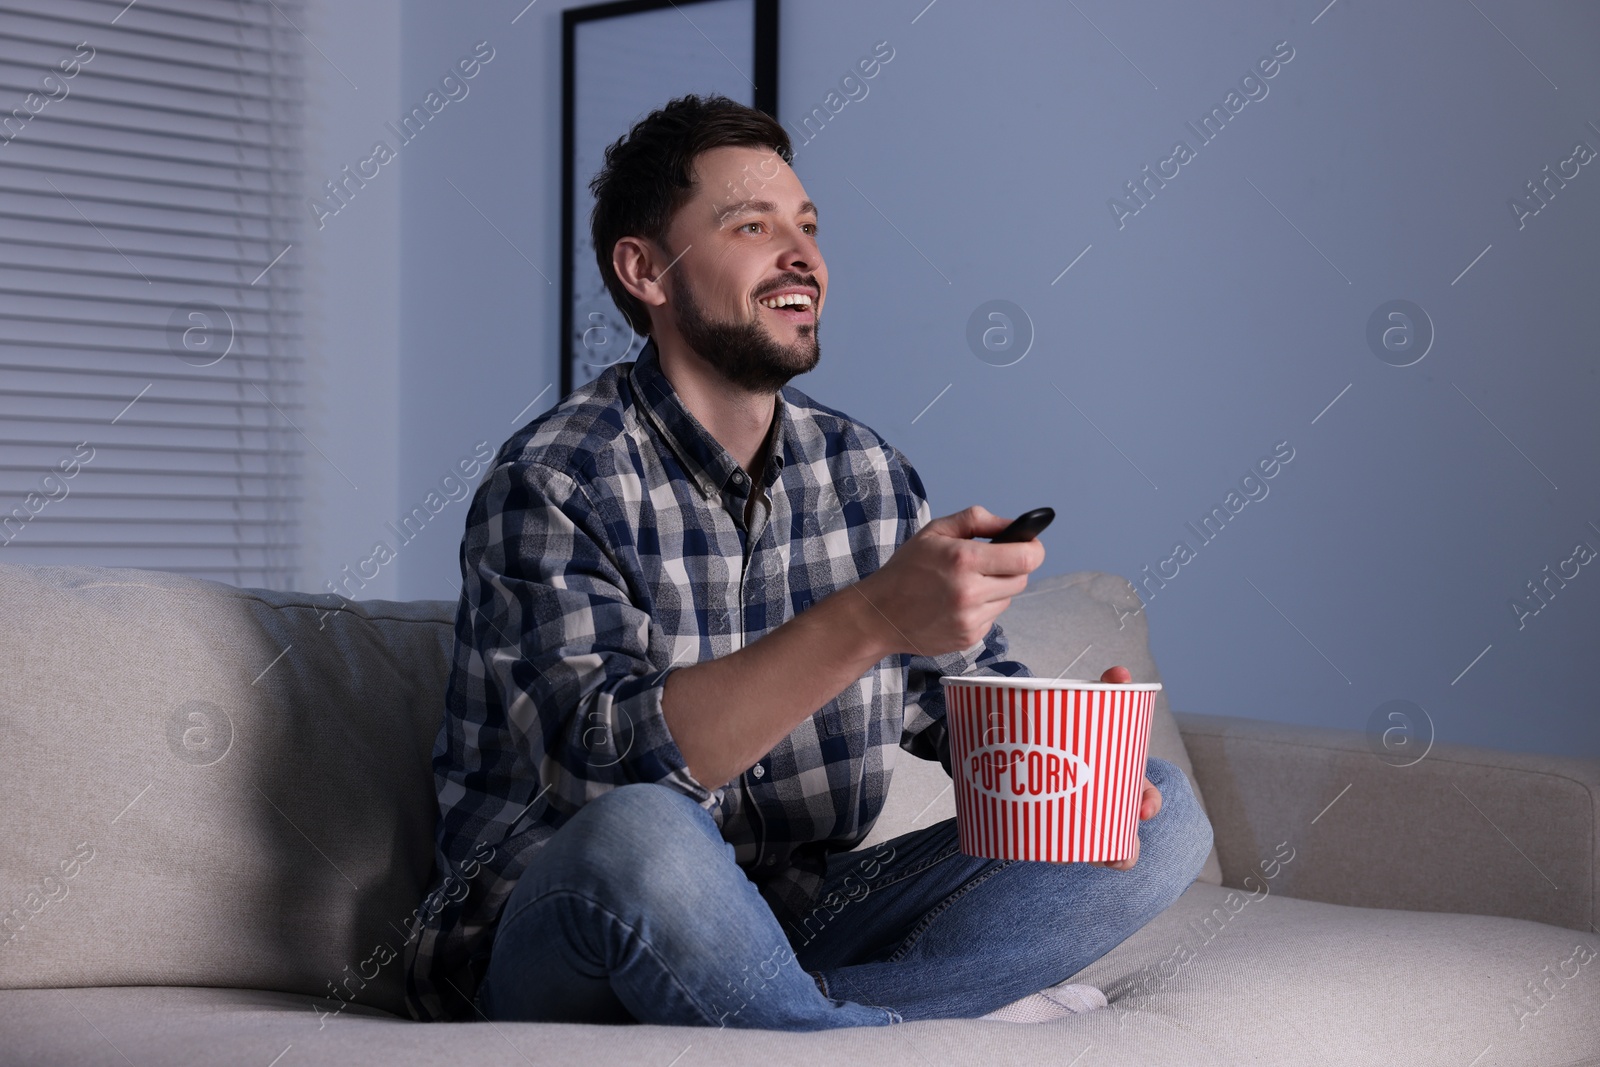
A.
pixel 647 177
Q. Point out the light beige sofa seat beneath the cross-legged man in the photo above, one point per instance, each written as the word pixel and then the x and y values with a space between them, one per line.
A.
pixel 1222 978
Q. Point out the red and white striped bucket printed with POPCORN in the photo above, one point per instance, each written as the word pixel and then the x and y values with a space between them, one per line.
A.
pixel 1049 769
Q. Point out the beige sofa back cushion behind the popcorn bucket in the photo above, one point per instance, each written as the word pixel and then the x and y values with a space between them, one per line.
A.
pixel 1070 626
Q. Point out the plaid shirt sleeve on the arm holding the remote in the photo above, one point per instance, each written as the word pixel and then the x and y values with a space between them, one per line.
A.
pixel 574 663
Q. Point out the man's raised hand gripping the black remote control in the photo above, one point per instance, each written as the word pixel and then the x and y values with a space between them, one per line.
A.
pixel 942 591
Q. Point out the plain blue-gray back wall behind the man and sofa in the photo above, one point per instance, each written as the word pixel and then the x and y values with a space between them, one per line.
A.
pixel 1190 340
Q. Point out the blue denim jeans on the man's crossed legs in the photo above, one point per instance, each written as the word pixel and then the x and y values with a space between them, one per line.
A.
pixel 638 913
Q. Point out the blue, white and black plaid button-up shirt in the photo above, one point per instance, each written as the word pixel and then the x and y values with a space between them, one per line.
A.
pixel 607 548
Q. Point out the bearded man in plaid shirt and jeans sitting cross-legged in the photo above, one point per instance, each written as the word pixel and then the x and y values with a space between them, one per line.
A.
pixel 702 617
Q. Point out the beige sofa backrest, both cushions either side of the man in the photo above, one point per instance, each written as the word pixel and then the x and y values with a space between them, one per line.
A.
pixel 218 786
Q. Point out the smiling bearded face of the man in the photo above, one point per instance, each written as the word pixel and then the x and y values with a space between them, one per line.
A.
pixel 748 236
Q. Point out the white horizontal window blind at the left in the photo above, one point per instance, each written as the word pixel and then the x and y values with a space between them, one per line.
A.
pixel 151 330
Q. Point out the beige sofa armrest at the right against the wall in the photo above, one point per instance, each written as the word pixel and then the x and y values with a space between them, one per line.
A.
pixel 1463 829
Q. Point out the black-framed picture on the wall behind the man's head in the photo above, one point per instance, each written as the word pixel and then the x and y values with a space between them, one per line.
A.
pixel 622 62
